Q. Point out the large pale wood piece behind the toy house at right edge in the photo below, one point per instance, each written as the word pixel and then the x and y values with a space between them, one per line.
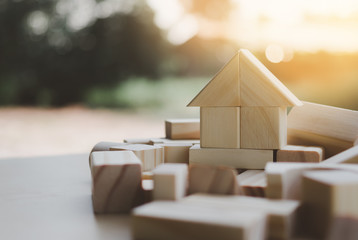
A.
pixel 333 128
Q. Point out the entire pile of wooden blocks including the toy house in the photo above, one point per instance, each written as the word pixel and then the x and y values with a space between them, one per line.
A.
pixel 243 128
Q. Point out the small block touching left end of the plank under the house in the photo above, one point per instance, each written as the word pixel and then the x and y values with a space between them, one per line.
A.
pixel 176 152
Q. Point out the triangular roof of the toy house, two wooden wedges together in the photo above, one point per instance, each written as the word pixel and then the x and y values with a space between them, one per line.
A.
pixel 244 81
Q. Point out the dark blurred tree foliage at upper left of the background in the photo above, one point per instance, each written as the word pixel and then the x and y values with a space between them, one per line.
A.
pixel 43 61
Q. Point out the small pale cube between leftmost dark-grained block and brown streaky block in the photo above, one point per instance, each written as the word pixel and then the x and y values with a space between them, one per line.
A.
pixel 170 181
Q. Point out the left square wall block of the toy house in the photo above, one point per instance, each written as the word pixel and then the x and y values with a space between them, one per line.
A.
pixel 220 127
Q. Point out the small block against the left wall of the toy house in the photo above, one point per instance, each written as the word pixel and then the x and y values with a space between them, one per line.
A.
pixel 182 128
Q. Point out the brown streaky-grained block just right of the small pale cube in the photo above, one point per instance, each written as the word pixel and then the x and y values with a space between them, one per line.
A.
pixel 212 179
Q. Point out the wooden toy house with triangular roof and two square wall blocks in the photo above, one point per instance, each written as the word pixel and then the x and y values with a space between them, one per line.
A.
pixel 244 106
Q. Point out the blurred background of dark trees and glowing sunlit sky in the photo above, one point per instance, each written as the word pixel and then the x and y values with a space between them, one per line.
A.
pixel 153 54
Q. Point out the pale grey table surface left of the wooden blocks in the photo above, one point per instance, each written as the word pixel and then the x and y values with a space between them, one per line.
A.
pixel 50 198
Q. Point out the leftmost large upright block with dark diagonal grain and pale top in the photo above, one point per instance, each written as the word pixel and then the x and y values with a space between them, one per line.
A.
pixel 116 181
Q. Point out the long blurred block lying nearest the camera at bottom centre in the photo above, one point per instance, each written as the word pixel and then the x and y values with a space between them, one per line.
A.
pixel 163 220
